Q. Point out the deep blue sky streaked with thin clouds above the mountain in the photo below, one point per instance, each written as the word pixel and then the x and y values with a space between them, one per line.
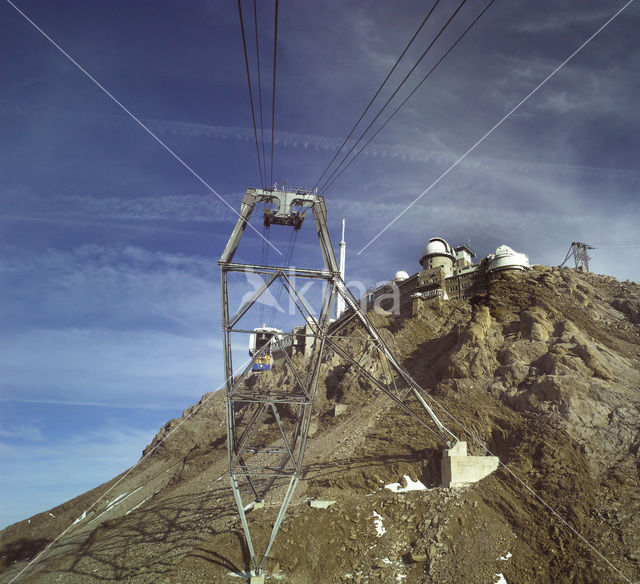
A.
pixel 110 284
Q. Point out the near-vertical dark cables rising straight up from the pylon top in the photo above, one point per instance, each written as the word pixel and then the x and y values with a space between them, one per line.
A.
pixel 262 159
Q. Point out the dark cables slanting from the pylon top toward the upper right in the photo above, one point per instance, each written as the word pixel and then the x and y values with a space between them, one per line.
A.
pixel 343 164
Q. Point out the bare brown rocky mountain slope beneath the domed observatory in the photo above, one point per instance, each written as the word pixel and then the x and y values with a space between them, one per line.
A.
pixel 543 371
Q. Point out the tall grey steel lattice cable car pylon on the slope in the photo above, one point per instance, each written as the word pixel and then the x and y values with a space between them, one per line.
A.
pixel 268 417
